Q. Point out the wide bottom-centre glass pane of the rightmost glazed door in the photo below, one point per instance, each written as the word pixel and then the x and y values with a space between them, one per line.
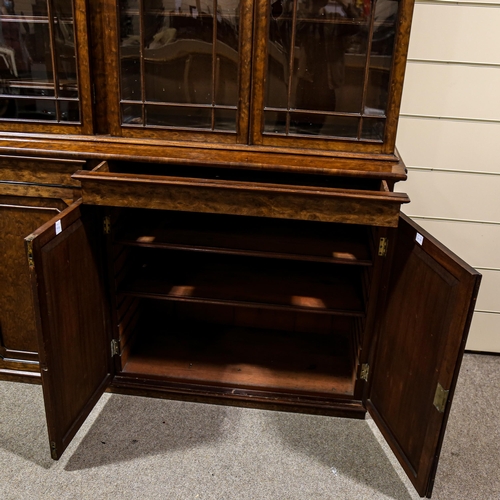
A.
pixel 318 124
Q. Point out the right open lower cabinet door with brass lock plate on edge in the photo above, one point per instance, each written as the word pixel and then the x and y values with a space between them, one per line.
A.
pixel 419 349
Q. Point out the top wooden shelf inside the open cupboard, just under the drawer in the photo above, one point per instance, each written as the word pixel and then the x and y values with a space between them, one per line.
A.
pixel 284 239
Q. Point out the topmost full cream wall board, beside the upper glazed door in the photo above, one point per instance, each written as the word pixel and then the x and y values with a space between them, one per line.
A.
pixel 459 33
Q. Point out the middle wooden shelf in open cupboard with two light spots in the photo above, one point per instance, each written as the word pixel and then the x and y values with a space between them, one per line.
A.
pixel 254 282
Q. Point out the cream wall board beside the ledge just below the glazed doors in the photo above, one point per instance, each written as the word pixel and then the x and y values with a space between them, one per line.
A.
pixel 449 144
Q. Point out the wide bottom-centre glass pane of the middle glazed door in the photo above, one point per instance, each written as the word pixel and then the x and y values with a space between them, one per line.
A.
pixel 169 116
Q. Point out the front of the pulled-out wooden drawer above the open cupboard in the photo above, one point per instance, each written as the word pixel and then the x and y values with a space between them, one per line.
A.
pixel 112 188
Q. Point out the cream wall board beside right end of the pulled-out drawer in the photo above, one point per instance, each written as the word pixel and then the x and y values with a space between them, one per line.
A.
pixel 452 195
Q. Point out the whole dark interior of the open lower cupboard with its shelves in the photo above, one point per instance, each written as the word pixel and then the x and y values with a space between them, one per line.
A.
pixel 240 303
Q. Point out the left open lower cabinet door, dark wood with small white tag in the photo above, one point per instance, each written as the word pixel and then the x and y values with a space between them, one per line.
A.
pixel 71 311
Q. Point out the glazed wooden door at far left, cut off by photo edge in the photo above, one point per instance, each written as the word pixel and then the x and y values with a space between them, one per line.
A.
pixel 44 67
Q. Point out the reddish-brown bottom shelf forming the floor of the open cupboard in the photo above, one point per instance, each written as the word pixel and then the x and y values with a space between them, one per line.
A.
pixel 243 358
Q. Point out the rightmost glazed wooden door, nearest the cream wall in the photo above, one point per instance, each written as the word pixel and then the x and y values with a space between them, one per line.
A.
pixel 328 74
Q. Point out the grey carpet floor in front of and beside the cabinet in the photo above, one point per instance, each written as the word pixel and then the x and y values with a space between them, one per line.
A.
pixel 141 448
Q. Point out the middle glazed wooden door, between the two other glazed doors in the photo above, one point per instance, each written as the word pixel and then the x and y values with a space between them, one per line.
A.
pixel 178 70
